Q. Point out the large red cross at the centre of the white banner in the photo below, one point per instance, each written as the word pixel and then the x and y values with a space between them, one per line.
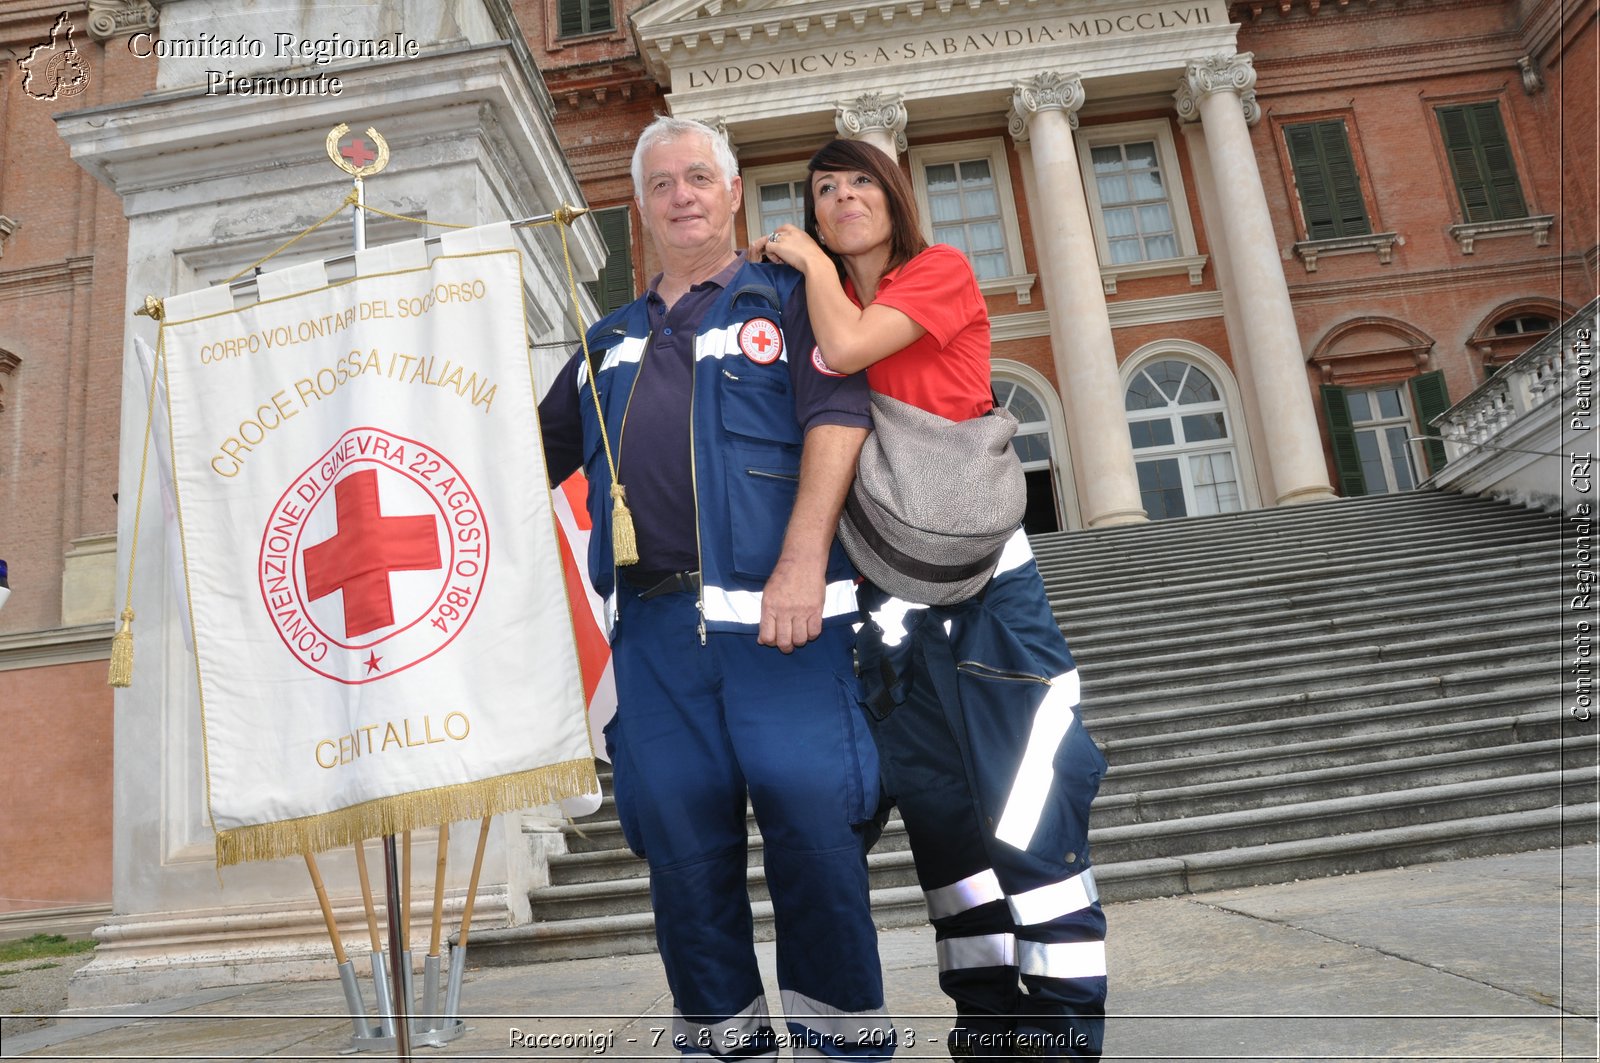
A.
pixel 364 553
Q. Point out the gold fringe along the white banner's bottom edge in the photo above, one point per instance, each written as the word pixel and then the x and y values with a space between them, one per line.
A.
pixel 407 812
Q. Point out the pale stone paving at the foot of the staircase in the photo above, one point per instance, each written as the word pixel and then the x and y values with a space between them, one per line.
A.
pixel 1490 958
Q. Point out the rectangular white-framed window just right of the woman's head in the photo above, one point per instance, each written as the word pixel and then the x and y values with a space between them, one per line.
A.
pixel 964 196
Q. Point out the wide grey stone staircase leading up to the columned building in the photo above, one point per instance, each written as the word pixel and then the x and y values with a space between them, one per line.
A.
pixel 1281 694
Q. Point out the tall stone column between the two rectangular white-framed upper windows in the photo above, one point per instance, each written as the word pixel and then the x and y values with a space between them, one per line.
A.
pixel 1044 114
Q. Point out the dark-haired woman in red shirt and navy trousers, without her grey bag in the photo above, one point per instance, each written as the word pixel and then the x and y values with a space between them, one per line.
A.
pixel 975 705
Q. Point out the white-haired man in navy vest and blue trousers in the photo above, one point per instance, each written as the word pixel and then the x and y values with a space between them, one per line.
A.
pixel 732 635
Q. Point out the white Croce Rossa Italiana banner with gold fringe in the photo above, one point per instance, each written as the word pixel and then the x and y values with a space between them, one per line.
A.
pixel 383 638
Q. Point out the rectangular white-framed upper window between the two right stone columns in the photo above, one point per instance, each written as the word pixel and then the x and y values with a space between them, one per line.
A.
pixel 1138 204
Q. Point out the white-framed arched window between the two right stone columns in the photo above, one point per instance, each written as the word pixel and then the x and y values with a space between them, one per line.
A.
pixel 1183 444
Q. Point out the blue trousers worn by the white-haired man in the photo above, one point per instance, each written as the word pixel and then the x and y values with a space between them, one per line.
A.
pixel 702 728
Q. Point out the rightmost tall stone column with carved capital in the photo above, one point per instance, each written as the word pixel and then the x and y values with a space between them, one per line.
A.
pixel 1220 92
